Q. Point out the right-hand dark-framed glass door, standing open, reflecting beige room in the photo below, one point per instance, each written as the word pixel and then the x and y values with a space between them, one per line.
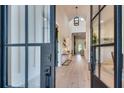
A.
pixel 106 57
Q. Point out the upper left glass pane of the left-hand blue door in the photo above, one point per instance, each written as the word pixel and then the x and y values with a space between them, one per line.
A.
pixel 16 24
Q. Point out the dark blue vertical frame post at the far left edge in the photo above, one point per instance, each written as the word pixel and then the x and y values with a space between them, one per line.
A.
pixel 3 62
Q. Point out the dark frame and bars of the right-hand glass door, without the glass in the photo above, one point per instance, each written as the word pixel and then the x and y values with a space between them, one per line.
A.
pixel 95 81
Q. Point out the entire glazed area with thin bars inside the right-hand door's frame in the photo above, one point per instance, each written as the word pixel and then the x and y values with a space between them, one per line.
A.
pixel 103 43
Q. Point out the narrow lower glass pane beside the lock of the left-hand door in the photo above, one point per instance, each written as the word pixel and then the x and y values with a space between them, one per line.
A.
pixel 34 67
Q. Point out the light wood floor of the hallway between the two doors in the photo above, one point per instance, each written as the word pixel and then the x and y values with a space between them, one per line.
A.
pixel 75 75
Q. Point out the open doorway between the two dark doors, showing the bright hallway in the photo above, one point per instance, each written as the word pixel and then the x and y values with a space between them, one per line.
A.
pixel 72 70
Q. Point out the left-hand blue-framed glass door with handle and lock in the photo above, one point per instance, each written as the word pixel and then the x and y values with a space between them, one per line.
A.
pixel 28 46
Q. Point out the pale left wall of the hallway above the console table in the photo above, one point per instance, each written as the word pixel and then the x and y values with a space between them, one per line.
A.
pixel 63 28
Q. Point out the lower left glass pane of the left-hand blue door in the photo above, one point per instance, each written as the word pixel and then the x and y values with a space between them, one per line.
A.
pixel 16 66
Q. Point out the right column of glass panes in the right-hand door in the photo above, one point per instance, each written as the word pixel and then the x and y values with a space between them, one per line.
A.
pixel 107 52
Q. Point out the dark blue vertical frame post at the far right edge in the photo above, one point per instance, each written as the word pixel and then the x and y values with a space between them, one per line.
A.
pixel 118 46
